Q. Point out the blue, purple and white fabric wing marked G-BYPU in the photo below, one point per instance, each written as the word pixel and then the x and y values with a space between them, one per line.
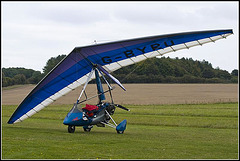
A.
pixel 73 70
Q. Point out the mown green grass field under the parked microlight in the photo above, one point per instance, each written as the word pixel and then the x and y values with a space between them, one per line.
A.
pixel 204 131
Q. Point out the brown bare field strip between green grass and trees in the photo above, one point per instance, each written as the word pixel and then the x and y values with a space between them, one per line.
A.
pixel 142 94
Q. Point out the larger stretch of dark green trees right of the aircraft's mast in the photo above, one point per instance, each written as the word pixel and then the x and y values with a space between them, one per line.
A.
pixel 168 70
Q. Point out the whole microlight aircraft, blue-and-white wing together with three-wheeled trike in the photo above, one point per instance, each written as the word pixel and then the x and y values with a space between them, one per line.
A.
pixel 89 62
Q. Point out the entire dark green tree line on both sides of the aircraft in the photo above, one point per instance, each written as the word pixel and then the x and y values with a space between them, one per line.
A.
pixel 154 70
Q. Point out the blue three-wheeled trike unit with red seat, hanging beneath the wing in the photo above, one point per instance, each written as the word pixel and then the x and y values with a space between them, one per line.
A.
pixel 100 114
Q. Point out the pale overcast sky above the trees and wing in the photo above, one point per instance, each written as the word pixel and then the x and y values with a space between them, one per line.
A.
pixel 33 32
